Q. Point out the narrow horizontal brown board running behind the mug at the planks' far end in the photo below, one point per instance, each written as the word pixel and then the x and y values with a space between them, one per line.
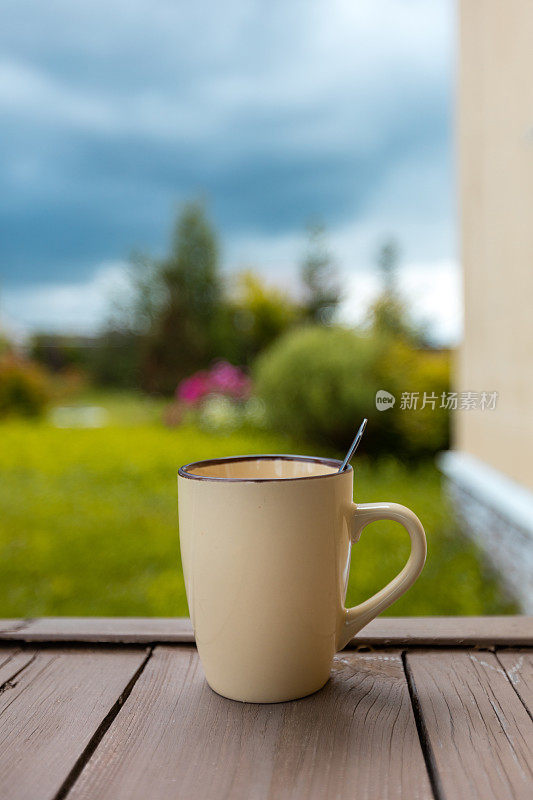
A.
pixel 514 631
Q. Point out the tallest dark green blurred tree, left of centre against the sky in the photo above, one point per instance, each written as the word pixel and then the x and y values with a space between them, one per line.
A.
pixel 169 325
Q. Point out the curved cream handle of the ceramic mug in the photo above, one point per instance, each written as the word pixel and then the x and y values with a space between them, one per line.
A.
pixel 357 617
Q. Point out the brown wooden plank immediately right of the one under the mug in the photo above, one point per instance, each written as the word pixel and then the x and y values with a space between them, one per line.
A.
pixel 478 734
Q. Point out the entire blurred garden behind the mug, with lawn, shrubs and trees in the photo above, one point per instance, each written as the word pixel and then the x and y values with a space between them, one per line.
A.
pixel 194 366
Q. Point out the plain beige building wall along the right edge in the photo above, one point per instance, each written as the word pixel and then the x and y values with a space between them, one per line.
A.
pixel 495 141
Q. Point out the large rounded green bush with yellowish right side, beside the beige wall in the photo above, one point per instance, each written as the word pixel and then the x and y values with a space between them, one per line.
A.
pixel 319 382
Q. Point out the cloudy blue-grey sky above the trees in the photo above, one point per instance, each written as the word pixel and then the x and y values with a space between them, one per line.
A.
pixel 114 112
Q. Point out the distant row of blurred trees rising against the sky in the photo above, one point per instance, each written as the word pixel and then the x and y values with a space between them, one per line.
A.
pixel 182 312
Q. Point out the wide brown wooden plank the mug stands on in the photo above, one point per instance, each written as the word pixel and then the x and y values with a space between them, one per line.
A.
pixel 175 738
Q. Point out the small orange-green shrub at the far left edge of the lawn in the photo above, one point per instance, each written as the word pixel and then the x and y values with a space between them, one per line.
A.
pixel 23 388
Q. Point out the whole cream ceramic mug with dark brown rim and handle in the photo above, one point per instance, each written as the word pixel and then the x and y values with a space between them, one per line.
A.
pixel 265 544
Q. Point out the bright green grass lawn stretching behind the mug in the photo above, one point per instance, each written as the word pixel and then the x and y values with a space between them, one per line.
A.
pixel 88 522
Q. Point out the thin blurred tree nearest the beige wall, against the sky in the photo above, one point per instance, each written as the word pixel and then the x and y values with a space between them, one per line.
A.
pixel 388 315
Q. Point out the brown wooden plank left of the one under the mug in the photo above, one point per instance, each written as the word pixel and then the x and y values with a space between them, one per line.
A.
pixel 51 711
